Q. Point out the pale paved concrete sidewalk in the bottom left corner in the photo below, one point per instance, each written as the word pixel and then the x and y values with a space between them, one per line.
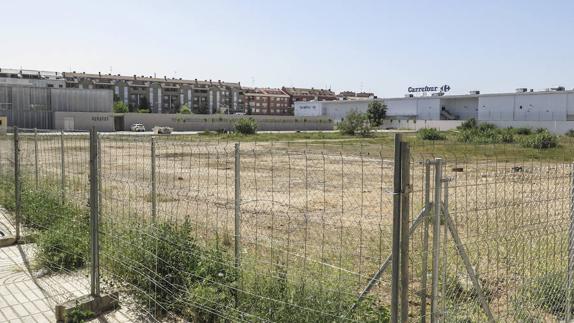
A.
pixel 25 298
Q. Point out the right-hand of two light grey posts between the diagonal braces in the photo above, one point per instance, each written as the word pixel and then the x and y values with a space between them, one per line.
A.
pixel 436 239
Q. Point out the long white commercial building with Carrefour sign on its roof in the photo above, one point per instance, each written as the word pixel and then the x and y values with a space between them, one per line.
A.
pixel 552 109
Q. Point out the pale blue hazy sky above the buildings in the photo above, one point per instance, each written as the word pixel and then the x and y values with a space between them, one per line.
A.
pixel 381 46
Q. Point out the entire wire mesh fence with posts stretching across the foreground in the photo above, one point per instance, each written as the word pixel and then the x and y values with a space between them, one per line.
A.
pixel 206 230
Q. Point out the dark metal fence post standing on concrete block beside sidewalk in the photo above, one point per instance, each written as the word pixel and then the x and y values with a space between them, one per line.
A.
pixel 94 215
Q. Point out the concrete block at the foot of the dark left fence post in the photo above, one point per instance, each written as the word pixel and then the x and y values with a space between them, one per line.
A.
pixel 95 305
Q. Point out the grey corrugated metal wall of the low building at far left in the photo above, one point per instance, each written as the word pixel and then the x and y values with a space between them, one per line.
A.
pixel 34 107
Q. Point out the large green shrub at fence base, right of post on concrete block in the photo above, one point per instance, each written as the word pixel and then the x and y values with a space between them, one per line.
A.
pixel 162 263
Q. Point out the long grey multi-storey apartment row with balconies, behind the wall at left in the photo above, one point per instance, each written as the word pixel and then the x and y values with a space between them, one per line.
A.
pixel 163 95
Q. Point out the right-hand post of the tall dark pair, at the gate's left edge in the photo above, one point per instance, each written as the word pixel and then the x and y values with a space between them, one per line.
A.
pixel 405 192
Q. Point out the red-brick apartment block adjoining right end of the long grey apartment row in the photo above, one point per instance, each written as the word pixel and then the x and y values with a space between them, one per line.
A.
pixel 266 101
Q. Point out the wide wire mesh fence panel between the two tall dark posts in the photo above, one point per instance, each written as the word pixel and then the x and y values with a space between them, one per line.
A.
pixel 310 227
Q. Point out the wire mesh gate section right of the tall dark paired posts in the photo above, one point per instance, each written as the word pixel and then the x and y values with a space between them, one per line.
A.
pixel 490 241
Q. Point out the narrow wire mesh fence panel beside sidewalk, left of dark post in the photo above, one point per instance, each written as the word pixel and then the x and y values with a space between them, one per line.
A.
pixel 43 184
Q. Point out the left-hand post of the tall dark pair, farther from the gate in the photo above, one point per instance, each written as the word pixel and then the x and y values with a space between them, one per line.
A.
pixel 396 231
